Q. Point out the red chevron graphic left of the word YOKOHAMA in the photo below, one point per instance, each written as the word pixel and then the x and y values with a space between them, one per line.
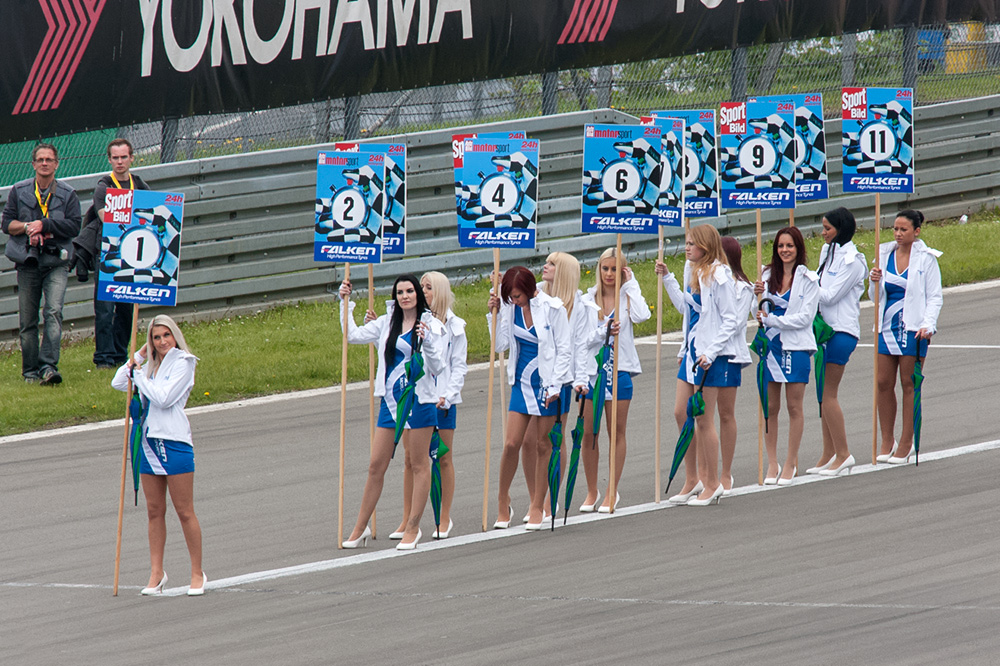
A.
pixel 71 24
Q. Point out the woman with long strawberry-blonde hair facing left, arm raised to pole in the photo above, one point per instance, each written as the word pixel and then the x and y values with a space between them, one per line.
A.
pixel 711 328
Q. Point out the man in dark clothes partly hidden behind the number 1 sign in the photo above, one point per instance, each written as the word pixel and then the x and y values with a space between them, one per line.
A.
pixel 112 321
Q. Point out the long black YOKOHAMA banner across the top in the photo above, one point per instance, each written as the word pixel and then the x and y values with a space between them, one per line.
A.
pixel 70 65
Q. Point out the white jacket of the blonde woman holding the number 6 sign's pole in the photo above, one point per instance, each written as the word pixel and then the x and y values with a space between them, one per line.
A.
pixel 636 311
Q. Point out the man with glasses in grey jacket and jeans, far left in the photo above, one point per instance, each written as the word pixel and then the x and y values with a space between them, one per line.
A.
pixel 41 216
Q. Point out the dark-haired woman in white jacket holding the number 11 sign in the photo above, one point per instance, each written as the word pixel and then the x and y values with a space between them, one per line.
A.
pixel 909 286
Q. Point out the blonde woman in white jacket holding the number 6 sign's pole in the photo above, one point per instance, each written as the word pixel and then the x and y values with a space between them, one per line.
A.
pixel 598 308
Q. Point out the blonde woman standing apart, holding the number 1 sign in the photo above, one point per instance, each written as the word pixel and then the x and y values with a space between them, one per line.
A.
pixel 163 373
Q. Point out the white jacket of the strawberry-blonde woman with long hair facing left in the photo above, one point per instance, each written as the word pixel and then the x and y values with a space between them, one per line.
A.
pixel 718 332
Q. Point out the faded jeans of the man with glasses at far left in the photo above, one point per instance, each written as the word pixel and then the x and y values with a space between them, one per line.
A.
pixel 32 284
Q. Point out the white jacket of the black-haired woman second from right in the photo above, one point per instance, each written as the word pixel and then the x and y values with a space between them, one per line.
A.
pixel 840 287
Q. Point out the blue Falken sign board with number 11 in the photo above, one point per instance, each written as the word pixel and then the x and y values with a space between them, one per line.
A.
pixel 878 139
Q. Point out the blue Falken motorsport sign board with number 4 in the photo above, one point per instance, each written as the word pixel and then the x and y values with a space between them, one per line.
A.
pixel 498 206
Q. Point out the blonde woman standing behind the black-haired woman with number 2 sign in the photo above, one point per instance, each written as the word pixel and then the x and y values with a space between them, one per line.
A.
pixel 451 379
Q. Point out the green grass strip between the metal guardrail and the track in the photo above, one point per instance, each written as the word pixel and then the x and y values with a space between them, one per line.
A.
pixel 297 347
